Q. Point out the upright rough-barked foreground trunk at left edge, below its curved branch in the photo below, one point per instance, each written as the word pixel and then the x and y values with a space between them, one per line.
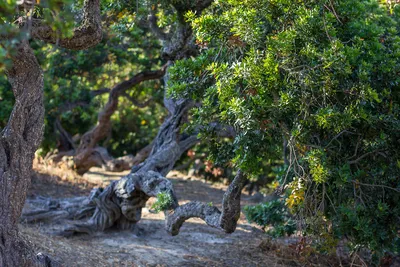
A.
pixel 19 141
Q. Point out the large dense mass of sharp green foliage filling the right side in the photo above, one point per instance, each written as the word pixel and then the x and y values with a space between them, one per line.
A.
pixel 322 75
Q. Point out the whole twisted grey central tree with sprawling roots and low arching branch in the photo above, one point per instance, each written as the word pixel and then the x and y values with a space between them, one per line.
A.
pixel 120 204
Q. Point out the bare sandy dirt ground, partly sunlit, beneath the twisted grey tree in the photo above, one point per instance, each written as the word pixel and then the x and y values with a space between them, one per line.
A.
pixel 196 245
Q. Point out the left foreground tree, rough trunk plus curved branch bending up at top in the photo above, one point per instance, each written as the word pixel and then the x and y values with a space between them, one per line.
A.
pixel 23 132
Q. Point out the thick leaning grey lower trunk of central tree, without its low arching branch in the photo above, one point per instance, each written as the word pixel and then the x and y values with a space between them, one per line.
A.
pixel 121 203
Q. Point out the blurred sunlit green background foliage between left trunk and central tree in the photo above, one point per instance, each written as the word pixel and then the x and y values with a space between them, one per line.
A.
pixel 78 86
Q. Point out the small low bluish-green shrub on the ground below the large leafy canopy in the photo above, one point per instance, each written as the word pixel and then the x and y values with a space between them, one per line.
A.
pixel 274 214
